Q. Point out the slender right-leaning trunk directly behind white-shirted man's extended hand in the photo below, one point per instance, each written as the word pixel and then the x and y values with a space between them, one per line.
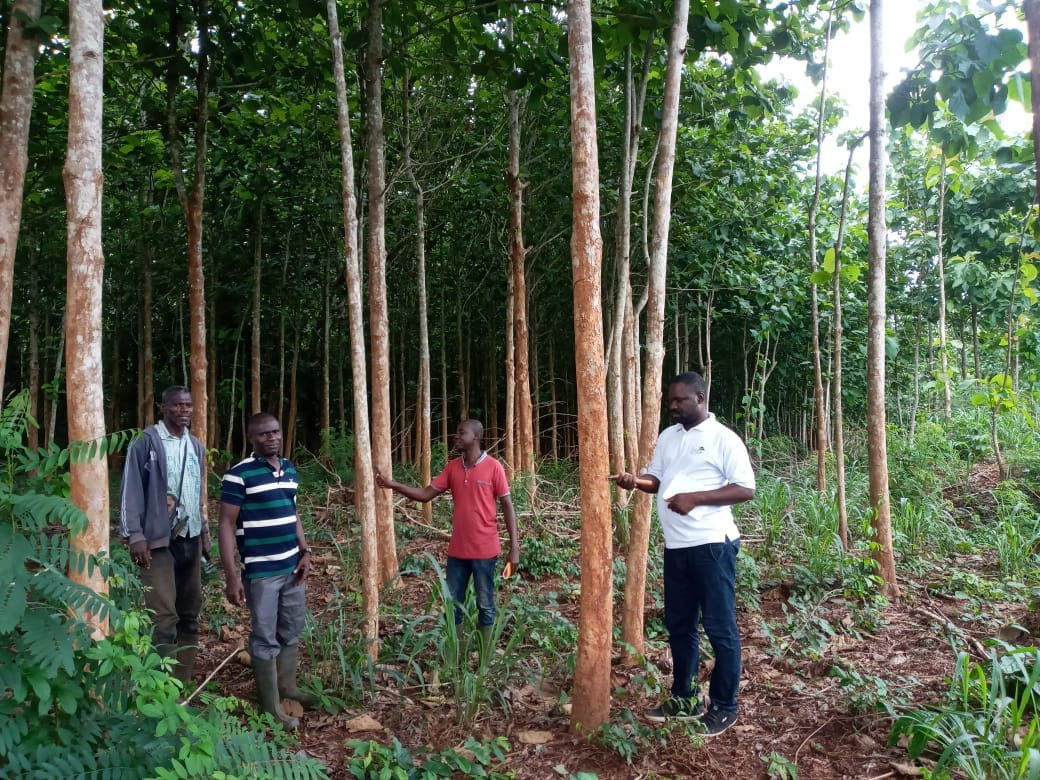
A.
pixel 632 628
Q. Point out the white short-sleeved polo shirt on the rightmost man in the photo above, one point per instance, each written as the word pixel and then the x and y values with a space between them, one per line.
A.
pixel 707 457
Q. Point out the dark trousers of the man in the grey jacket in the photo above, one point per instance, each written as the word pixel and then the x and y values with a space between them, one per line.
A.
pixel 173 592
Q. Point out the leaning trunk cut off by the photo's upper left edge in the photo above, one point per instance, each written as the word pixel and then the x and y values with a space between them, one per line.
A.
pixel 16 111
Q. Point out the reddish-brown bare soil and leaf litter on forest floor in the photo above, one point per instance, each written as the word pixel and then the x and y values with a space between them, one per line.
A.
pixel 795 713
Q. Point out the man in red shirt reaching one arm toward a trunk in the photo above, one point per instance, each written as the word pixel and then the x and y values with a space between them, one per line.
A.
pixel 476 481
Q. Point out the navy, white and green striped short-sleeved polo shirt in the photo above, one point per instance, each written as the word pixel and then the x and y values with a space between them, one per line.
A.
pixel 267 526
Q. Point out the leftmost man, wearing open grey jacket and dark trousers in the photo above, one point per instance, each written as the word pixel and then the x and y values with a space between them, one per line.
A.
pixel 163 518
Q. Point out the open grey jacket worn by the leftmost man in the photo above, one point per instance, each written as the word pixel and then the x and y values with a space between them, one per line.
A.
pixel 144 515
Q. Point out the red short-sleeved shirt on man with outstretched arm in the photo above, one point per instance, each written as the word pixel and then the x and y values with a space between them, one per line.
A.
pixel 475 490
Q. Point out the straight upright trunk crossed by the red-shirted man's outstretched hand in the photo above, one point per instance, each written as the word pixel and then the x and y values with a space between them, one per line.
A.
pixel 378 313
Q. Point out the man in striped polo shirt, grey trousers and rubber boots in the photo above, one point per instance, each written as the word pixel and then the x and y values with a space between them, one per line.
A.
pixel 258 510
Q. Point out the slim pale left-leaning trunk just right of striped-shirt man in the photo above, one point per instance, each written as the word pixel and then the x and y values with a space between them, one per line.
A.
pixel 363 485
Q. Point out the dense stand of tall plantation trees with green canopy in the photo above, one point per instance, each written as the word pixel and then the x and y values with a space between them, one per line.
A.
pixel 497 145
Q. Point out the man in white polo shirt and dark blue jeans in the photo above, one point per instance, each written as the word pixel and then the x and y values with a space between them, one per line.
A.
pixel 700 470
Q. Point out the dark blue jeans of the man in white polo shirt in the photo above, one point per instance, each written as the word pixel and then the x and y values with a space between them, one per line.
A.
pixel 700 586
